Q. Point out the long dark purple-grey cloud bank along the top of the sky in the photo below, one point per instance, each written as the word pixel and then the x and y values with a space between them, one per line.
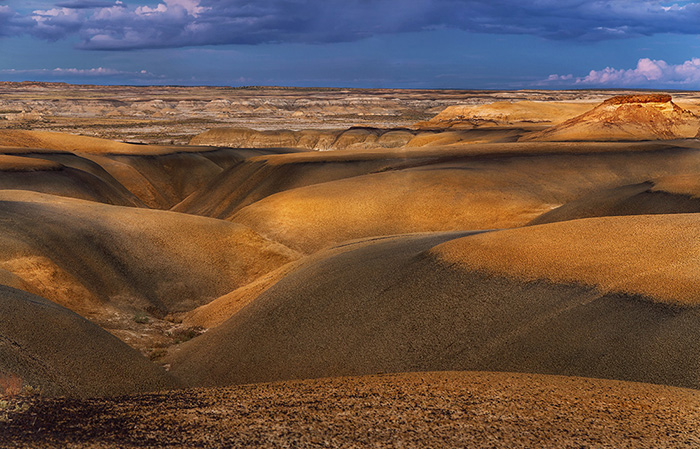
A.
pixel 105 25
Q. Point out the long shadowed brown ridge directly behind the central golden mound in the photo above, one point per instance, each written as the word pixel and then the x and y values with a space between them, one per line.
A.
pixel 260 177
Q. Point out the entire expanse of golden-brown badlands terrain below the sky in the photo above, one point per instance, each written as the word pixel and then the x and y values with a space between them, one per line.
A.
pixel 504 269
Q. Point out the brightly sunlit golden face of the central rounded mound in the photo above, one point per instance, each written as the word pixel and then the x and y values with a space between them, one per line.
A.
pixel 440 198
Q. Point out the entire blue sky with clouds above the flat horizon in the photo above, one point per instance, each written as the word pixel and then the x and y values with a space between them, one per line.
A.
pixel 464 44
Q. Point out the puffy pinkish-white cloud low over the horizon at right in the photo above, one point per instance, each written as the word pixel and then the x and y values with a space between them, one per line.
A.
pixel 654 73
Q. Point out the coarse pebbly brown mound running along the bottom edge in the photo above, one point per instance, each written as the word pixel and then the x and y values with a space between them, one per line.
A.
pixel 454 409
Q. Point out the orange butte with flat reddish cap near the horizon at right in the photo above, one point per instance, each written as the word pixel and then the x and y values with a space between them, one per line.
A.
pixel 630 117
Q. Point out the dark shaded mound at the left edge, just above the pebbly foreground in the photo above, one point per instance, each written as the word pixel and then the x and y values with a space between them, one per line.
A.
pixel 51 348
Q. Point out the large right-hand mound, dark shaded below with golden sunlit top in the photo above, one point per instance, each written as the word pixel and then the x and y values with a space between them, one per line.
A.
pixel 562 299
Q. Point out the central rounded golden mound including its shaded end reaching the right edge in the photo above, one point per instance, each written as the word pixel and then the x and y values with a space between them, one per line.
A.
pixel 457 192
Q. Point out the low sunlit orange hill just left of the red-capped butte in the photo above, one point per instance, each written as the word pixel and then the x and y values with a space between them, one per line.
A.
pixel 503 113
